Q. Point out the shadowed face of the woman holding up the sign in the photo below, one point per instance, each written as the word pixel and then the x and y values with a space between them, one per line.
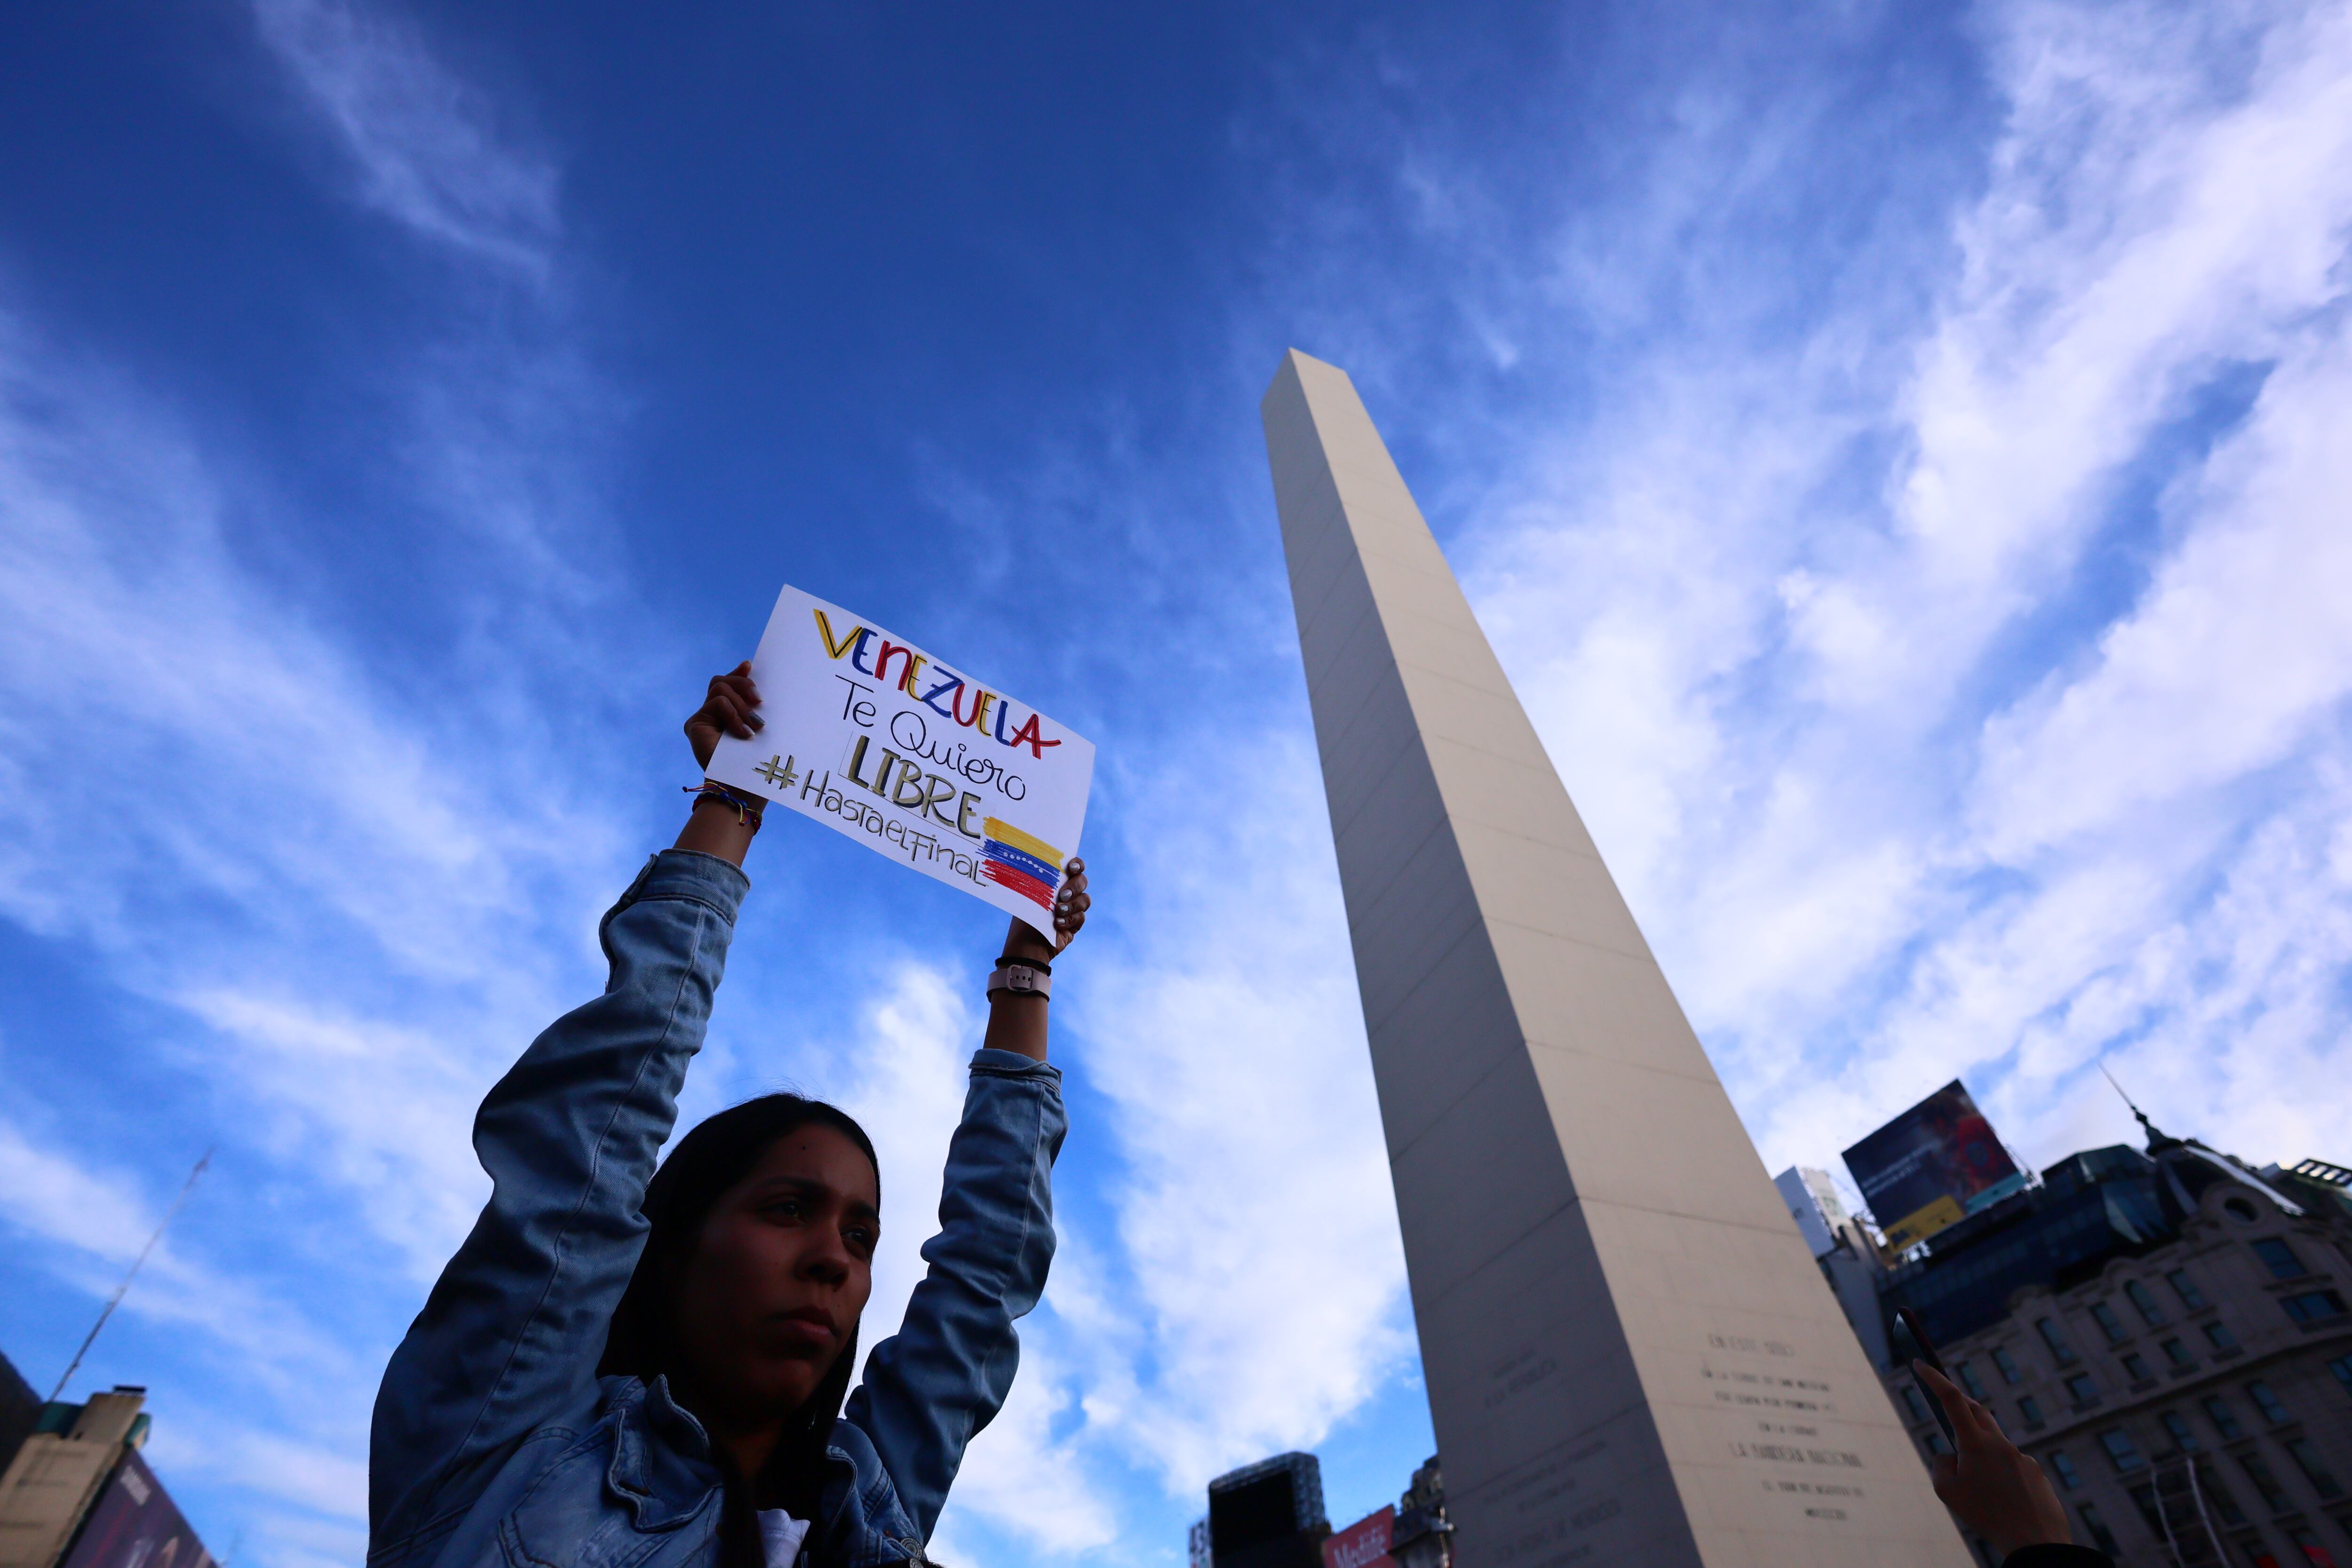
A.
pixel 780 1278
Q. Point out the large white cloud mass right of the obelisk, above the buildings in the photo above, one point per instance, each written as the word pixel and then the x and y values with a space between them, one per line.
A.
pixel 1871 850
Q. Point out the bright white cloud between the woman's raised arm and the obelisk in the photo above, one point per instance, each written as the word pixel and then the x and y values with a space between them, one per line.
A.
pixel 1262 1278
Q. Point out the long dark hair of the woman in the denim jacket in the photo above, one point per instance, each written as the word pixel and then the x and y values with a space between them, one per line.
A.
pixel 643 1336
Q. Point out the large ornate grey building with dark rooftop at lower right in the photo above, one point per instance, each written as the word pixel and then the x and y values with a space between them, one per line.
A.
pixel 2165 1332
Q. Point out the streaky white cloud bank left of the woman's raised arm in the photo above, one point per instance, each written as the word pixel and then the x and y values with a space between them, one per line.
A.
pixel 239 765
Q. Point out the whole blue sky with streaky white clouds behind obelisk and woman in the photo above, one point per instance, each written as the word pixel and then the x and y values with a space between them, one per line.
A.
pixel 1895 450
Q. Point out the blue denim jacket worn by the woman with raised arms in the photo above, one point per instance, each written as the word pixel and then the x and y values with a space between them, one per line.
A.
pixel 495 1440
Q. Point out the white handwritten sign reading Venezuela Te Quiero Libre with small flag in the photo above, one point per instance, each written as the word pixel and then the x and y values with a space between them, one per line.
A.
pixel 921 763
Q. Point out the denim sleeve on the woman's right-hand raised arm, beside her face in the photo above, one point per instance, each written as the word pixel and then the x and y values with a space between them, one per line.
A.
pixel 947 1372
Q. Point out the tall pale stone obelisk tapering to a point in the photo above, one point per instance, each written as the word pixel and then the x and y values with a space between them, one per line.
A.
pixel 1631 1358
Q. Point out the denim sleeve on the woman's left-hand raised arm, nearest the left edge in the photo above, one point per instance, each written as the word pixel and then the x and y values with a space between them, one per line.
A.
pixel 512 1334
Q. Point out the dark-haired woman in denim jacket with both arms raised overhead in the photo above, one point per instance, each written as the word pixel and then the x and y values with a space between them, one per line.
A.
pixel 650 1367
